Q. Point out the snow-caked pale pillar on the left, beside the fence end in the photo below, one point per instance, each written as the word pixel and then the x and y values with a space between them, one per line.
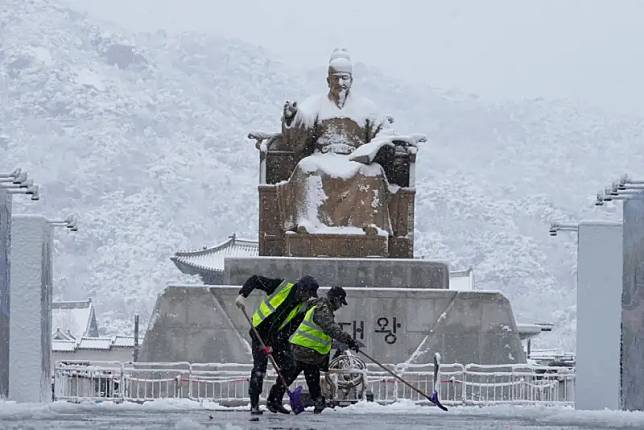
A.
pixel 31 297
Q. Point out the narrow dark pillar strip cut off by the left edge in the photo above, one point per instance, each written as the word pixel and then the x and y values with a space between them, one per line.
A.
pixel 5 246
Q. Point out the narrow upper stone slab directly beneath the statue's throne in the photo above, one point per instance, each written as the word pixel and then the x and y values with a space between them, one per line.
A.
pixel 346 272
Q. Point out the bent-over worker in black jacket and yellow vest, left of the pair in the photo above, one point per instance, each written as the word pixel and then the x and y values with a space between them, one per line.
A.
pixel 276 318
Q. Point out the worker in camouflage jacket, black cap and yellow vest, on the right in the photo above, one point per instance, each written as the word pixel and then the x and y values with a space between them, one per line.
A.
pixel 311 344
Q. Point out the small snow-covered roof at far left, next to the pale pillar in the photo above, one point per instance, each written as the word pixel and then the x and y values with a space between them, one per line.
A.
pixel 74 319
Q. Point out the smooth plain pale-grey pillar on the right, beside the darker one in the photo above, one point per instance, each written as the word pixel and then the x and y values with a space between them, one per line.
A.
pixel 599 296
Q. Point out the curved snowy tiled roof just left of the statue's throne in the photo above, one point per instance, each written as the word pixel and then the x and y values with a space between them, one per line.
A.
pixel 209 262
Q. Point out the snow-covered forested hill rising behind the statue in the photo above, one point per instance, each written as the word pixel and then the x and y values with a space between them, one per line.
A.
pixel 144 137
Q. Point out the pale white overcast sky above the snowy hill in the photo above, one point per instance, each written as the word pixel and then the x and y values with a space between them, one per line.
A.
pixel 588 50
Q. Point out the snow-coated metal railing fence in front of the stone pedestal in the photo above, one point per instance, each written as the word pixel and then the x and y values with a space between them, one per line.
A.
pixel 459 384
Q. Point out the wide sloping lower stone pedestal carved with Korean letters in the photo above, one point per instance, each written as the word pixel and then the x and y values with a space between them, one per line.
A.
pixel 202 324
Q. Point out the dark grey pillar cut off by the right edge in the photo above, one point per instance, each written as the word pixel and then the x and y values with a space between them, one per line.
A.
pixel 632 397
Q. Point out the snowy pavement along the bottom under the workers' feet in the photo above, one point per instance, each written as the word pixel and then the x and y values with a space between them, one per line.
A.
pixel 184 414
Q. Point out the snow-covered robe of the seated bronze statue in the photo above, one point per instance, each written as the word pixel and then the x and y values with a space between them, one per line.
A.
pixel 327 192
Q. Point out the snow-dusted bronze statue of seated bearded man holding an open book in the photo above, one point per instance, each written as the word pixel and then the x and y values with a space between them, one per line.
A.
pixel 339 185
